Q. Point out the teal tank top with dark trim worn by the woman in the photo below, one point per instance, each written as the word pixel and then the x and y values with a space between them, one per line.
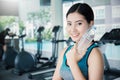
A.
pixel 65 72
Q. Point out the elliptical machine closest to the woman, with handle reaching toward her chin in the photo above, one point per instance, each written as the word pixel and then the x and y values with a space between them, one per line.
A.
pixel 49 67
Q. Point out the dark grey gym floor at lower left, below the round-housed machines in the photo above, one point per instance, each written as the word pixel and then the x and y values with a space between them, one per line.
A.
pixel 9 75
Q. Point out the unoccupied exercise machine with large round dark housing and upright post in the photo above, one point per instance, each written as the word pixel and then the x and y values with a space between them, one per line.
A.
pixel 24 61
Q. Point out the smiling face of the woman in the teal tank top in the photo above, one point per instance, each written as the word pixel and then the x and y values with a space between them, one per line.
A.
pixel 76 26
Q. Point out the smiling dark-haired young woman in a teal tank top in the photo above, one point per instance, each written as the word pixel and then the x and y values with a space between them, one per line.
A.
pixel 71 64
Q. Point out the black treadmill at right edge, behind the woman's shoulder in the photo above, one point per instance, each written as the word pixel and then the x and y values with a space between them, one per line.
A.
pixel 112 37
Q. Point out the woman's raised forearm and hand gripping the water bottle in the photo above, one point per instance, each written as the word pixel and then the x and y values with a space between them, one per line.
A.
pixel 72 59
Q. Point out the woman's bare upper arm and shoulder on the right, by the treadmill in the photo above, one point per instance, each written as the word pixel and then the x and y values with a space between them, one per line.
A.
pixel 96 65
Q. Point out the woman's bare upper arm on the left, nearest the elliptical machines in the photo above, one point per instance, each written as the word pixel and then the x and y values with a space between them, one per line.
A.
pixel 56 75
